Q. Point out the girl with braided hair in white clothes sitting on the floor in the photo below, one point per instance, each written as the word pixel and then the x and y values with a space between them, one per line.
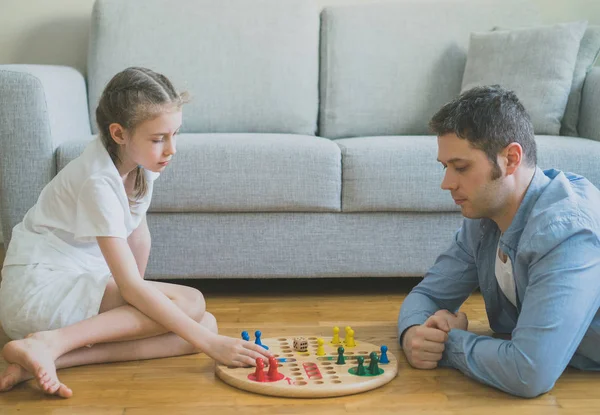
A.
pixel 73 273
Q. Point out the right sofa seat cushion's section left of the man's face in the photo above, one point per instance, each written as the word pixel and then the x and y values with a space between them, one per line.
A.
pixel 392 173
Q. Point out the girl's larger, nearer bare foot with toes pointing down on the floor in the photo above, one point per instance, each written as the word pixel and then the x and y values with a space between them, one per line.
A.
pixel 33 354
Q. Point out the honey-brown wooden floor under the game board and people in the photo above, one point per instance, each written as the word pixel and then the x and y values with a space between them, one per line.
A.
pixel 187 385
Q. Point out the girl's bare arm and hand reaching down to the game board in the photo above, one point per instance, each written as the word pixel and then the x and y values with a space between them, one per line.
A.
pixel 157 306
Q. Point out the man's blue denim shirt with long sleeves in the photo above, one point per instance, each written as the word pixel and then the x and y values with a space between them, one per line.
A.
pixel 554 245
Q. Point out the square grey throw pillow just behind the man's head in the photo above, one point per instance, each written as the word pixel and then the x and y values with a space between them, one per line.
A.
pixel 536 63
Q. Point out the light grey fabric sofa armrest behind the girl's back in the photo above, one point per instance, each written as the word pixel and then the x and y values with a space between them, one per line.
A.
pixel 40 107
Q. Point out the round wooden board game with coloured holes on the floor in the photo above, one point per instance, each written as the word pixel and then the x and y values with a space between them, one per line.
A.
pixel 306 375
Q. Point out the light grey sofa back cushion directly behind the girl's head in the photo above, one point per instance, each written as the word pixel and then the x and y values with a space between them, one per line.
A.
pixel 250 66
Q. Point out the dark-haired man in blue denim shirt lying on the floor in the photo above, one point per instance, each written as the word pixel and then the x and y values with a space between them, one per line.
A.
pixel 530 241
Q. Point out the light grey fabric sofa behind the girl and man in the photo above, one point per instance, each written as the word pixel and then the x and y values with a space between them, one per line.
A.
pixel 305 150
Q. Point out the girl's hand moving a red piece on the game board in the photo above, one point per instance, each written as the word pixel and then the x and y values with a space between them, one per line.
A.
pixel 235 352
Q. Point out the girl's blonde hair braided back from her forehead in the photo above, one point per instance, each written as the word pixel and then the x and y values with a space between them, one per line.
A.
pixel 131 97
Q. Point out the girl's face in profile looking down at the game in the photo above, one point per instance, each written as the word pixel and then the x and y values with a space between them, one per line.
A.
pixel 152 143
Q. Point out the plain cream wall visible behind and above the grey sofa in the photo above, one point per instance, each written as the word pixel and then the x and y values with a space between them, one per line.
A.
pixel 56 32
